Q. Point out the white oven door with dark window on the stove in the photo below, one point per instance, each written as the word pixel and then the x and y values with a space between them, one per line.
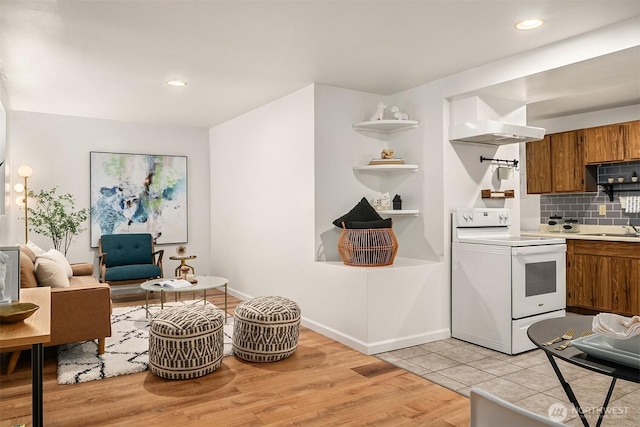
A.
pixel 538 279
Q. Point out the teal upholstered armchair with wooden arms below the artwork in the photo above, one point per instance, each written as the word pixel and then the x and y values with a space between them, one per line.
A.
pixel 128 258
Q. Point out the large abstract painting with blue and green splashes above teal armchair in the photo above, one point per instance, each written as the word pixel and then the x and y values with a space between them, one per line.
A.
pixel 139 193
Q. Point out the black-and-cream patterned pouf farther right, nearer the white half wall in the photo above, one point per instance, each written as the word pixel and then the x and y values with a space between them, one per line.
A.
pixel 266 329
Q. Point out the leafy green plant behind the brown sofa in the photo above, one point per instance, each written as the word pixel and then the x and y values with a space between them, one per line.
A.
pixel 54 216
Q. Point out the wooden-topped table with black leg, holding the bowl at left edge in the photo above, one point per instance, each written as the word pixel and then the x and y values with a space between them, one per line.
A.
pixel 34 330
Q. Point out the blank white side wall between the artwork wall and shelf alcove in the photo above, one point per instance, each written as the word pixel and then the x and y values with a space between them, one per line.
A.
pixel 262 198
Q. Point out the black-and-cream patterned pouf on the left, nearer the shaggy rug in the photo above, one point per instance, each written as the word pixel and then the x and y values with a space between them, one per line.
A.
pixel 186 342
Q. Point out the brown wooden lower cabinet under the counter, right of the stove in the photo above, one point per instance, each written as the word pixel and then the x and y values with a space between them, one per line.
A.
pixel 603 276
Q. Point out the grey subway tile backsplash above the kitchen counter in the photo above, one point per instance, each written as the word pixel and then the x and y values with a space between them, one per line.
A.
pixel 585 206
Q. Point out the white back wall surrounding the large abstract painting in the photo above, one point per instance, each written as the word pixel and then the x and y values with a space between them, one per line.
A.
pixel 57 148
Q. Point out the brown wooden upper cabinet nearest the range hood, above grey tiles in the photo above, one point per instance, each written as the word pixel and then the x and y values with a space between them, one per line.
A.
pixel 556 165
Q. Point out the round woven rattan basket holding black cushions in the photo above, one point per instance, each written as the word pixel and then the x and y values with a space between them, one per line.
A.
pixel 370 247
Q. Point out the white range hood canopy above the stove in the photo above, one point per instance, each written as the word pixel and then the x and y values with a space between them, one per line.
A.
pixel 494 133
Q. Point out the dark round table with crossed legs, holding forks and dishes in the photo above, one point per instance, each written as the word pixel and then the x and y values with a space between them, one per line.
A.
pixel 546 330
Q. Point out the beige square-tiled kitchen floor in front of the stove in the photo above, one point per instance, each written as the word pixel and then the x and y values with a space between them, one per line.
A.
pixel 526 380
